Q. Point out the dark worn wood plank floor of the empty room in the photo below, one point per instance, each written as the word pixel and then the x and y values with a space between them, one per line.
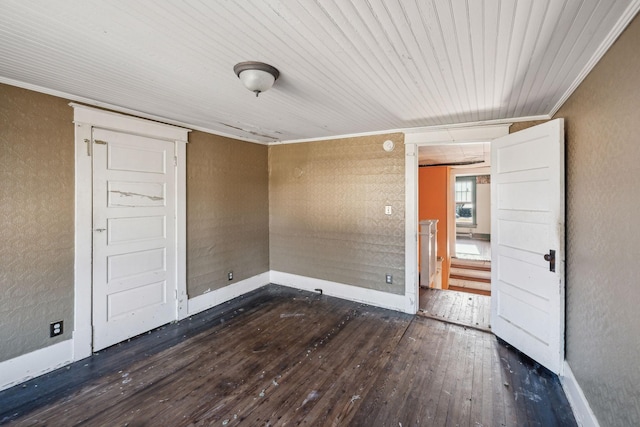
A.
pixel 285 357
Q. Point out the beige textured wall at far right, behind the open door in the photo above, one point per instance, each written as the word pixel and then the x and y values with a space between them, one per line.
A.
pixel 602 122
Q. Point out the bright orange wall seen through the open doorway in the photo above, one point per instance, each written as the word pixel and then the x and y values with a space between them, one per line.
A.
pixel 433 196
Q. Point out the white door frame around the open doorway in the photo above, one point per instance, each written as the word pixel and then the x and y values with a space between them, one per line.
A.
pixel 412 141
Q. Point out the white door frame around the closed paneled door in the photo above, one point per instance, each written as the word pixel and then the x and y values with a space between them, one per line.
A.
pixel 85 119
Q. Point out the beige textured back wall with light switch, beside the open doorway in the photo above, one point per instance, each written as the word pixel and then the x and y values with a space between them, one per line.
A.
pixel 327 218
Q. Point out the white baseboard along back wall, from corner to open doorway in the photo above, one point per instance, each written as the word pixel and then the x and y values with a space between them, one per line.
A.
pixel 340 290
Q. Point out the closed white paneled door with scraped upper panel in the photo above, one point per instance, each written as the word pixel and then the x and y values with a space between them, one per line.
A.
pixel 134 243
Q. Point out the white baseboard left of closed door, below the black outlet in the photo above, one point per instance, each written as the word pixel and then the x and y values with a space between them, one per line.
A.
pixel 22 368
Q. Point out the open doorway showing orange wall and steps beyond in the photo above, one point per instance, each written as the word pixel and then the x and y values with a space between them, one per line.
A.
pixel 454 190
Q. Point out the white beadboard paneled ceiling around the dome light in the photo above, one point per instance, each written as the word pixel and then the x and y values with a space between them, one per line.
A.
pixel 347 66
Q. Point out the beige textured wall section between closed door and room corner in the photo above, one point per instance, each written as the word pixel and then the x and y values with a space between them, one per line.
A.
pixel 227 211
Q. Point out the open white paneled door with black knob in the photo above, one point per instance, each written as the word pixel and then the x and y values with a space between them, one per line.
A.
pixel 527 205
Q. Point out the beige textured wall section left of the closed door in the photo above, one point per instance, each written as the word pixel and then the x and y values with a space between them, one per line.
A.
pixel 36 219
